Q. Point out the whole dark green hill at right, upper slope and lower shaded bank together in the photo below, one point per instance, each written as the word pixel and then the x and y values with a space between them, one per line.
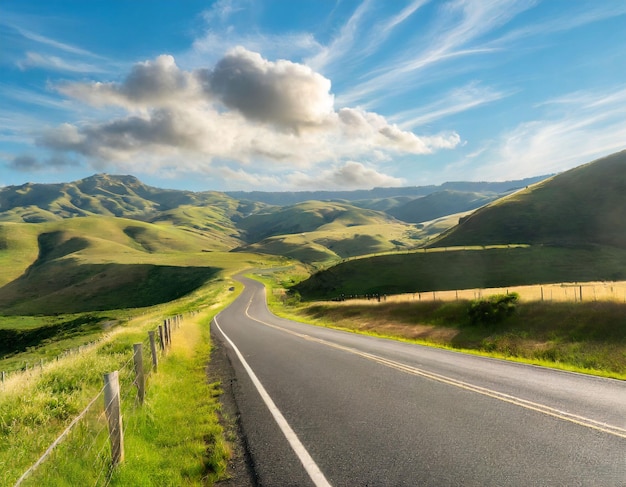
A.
pixel 571 227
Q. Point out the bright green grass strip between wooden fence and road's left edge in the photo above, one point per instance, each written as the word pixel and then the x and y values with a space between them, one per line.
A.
pixel 175 437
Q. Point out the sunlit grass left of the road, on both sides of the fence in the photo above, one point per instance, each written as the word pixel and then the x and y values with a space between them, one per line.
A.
pixel 173 439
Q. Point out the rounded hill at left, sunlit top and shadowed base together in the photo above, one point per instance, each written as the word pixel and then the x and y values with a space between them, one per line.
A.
pixel 99 263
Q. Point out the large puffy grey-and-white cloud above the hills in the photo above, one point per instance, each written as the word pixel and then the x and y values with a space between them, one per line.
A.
pixel 245 110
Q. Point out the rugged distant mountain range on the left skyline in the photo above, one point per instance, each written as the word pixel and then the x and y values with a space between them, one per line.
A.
pixel 207 213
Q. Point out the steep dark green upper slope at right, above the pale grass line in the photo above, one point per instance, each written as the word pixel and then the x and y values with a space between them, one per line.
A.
pixel 585 205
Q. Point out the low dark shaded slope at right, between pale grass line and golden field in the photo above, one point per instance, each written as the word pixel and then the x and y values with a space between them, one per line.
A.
pixel 440 269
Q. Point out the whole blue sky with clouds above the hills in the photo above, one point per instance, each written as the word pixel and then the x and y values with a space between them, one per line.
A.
pixel 303 95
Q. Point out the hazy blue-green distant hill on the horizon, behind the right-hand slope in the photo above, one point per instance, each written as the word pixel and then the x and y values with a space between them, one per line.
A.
pixel 439 204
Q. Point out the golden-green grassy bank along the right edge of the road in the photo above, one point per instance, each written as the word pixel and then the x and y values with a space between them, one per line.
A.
pixel 587 337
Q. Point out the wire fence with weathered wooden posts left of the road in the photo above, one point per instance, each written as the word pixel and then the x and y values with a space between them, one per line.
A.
pixel 99 425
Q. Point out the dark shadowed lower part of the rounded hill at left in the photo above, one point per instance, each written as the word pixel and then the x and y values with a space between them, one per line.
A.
pixel 65 286
